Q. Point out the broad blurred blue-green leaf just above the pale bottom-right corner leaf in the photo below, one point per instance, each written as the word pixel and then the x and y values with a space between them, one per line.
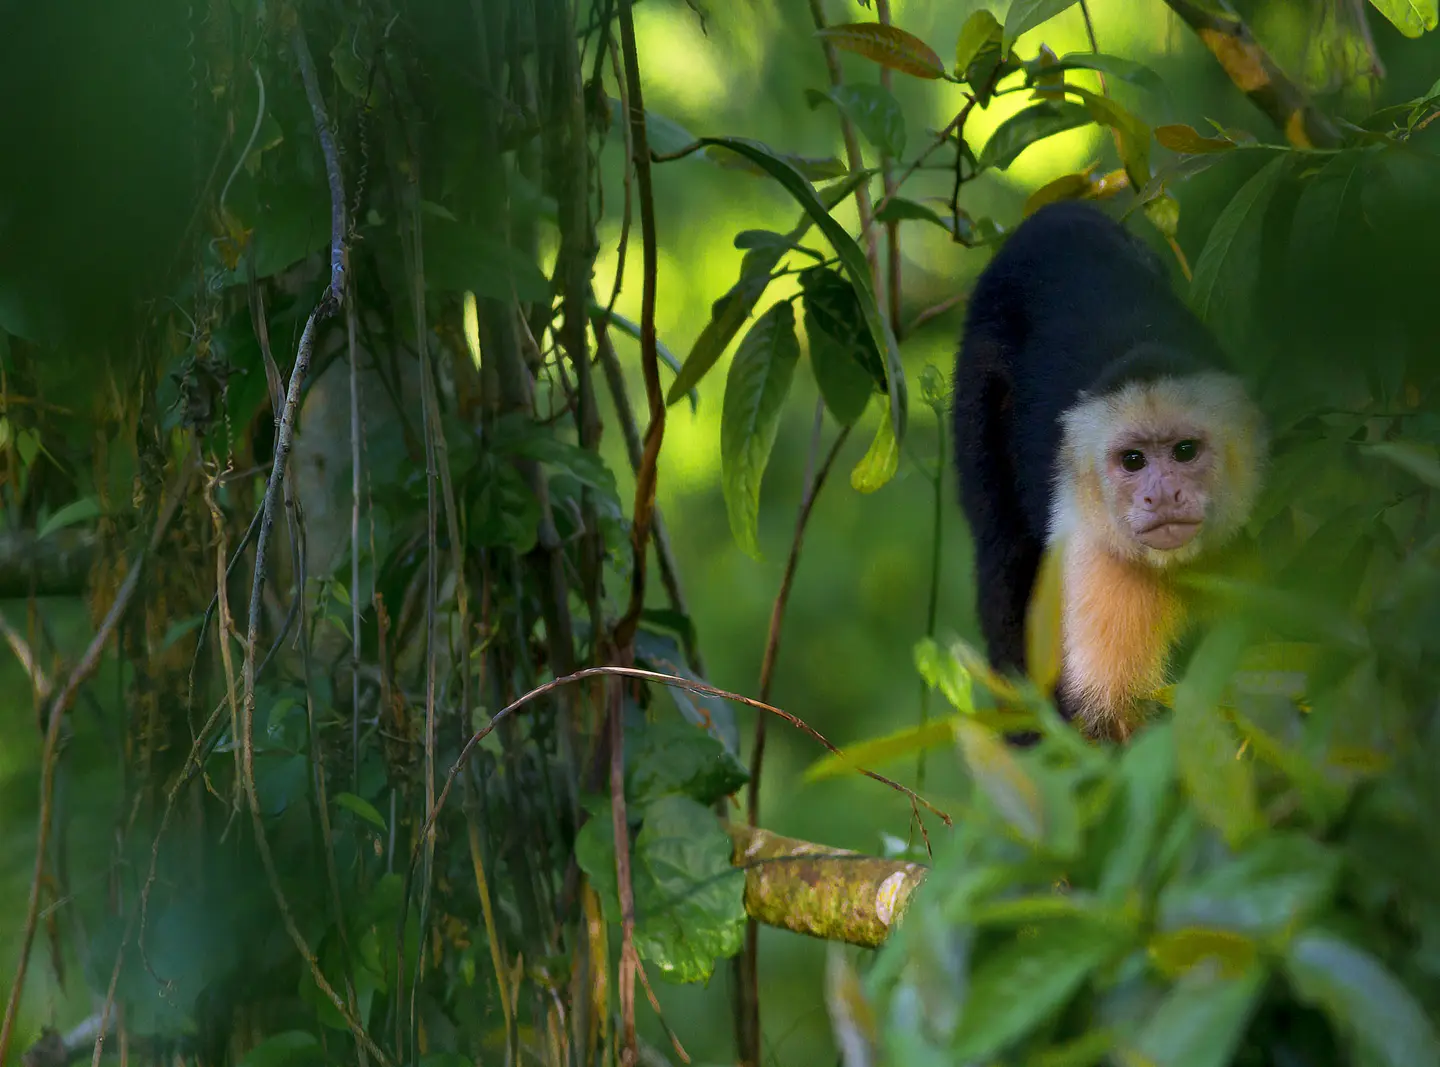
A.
pixel 1274 886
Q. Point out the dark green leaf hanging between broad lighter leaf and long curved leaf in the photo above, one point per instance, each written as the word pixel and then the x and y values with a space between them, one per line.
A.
pixel 843 356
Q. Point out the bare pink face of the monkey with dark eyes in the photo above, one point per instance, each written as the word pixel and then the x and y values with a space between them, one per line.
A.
pixel 1163 487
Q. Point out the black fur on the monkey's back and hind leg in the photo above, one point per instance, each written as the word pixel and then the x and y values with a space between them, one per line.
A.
pixel 1058 312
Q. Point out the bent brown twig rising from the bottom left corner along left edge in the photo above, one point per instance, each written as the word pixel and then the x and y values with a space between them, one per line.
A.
pixel 87 666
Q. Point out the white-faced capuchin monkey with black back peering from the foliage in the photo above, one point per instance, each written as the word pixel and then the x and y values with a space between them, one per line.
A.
pixel 1092 410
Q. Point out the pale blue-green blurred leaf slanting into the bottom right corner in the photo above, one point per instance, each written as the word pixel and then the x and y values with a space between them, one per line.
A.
pixel 1364 1000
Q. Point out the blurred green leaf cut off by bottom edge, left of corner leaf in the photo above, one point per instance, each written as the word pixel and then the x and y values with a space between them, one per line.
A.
pixel 1200 1022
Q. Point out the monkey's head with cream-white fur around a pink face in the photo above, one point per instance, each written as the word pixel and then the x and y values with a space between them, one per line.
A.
pixel 1161 469
